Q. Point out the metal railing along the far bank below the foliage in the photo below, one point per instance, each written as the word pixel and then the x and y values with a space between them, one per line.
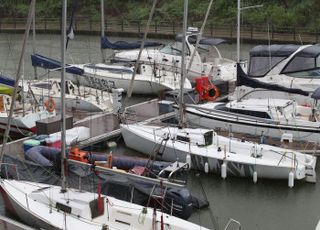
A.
pixel 169 28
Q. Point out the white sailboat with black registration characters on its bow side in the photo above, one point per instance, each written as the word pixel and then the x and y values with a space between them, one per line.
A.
pixel 150 78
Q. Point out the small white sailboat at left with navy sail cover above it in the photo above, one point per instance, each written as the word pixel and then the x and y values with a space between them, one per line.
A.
pixel 77 96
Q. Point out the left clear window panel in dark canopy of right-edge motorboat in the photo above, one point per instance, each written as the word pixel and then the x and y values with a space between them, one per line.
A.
pixel 260 66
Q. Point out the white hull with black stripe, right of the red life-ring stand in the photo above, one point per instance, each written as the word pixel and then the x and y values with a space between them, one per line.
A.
pixel 303 131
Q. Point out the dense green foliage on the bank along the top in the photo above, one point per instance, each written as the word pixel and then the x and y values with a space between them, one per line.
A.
pixel 278 13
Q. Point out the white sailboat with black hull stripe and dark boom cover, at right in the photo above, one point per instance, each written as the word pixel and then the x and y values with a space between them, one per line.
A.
pixel 271 117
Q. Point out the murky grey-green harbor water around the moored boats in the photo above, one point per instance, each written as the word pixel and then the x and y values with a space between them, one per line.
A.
pixel 268 204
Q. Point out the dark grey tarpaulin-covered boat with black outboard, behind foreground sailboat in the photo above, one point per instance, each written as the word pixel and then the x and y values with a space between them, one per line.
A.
pixel 112 183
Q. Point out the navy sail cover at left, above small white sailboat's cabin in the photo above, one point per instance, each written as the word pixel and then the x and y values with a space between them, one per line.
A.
pixel 49 63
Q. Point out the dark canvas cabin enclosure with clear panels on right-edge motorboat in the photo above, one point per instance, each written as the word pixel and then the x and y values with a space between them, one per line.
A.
pixel 292 60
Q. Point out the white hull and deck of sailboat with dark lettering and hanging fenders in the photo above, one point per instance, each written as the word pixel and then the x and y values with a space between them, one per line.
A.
pixel 238 154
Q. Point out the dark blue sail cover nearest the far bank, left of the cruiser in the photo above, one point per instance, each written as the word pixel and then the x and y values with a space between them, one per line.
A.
pixel 123 45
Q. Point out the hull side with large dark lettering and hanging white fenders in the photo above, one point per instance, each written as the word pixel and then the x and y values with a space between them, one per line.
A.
pixel 213 159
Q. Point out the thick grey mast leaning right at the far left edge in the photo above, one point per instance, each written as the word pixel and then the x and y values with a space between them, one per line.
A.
pixel 18 75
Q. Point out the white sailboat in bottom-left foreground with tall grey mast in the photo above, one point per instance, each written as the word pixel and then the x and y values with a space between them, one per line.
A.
pixel 54 207
